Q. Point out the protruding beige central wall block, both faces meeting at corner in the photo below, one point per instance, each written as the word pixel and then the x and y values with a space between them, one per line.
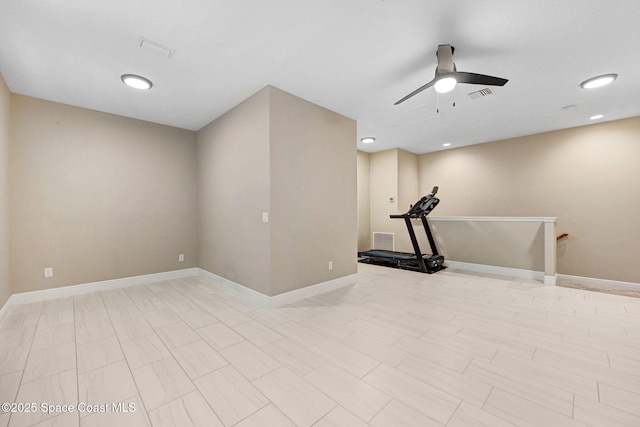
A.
pixel 279 154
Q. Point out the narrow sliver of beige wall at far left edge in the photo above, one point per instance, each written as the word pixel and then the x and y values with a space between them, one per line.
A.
pixel 5 277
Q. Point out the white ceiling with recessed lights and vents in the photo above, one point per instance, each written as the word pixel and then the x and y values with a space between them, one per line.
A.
pixel 355 57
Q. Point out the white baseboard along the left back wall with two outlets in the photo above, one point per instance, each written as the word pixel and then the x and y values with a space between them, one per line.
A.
pixel 85 288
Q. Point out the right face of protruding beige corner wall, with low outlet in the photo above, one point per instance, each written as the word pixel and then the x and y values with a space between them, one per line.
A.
pixel 313 193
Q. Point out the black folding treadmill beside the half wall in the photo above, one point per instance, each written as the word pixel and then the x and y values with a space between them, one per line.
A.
pixel 417 261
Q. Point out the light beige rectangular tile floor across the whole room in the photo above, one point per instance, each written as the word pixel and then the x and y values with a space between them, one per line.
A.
pixel 396 349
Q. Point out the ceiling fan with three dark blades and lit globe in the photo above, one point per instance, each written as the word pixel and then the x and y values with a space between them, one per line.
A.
pixel 447 76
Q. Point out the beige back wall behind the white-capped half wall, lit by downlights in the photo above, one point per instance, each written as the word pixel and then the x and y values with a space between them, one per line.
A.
pixel 588 177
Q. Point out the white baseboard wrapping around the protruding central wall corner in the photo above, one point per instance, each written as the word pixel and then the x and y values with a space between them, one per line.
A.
pixel 284 298
